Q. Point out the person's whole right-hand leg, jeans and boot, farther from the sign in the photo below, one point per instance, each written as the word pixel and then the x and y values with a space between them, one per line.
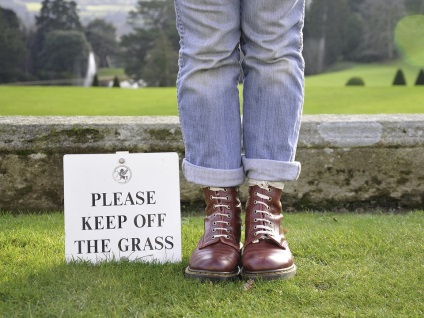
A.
pixel 273 100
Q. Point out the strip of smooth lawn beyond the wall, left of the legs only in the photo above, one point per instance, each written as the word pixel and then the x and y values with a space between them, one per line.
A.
pixel 69 101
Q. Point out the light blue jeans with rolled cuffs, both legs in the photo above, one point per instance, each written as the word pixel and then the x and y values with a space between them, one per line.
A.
pixel 212 34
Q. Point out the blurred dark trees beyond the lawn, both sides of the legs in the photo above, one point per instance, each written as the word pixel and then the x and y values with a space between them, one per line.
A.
pixel 348 31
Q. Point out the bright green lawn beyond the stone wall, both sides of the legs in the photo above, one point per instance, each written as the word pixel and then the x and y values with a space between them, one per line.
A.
pixel 325 94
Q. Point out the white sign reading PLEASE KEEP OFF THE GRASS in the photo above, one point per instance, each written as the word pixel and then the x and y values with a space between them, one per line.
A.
pixel 122 206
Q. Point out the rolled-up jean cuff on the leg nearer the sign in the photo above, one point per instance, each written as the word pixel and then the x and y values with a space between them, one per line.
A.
pixel 212 177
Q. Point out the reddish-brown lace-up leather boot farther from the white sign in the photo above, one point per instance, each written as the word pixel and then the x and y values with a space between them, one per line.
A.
pixel 266 253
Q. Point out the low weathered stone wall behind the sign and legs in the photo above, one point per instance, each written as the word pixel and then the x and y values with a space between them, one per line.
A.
pixel 348 161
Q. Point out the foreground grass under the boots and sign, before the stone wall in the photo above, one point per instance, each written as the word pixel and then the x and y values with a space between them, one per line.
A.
pixel 349 265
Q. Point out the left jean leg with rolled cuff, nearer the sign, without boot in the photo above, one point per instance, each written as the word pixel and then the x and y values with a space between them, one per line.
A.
pixel 207 84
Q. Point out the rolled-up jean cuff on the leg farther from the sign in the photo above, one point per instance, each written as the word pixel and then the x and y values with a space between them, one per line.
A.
pixel 270 170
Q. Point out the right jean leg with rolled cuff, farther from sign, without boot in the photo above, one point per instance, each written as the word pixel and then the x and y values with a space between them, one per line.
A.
pixel 273 87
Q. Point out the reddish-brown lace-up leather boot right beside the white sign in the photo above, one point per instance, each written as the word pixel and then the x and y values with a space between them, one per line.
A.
pixel 217 256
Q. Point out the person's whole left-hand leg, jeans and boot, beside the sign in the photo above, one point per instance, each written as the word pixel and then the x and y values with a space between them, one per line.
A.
pixel 209 110
